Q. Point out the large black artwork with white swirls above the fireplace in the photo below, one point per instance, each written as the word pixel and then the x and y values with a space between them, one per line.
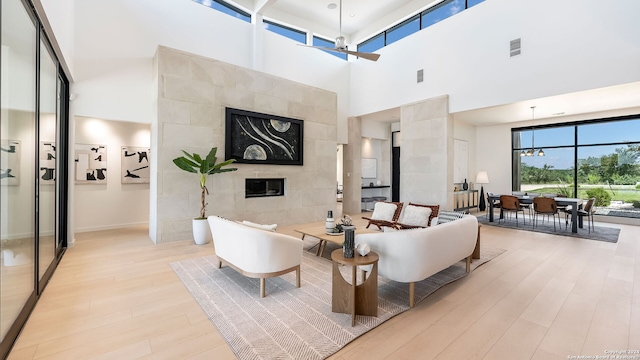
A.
pixel 255 138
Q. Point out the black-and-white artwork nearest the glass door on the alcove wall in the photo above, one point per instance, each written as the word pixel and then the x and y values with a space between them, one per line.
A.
pixel 91 164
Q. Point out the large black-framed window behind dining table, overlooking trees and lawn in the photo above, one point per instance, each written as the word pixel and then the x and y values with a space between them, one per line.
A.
pixel 593 159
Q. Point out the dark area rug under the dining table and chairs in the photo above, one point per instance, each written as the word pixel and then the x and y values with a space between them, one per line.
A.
pixel 600 233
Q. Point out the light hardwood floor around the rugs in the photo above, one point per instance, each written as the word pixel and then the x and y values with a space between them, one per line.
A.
pixel 114 296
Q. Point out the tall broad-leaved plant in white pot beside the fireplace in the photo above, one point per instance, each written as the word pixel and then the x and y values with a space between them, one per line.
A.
pixel 204 167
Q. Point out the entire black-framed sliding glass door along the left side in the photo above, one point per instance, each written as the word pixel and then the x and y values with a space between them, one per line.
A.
pixel 33 103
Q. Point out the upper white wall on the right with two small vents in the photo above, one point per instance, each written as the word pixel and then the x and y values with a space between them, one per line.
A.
pixel 567 46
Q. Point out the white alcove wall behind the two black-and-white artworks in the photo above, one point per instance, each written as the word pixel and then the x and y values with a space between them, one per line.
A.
pixel 113 205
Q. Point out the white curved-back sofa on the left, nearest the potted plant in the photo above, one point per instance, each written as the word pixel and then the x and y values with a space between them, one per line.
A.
pixel 255 252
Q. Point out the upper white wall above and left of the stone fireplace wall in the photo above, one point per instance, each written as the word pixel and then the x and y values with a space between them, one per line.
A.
pixel 114 63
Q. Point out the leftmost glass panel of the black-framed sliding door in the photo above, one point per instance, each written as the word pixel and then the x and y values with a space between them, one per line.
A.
pixel 17 173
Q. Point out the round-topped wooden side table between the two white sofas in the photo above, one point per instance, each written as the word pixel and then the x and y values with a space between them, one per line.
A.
pixel 352 298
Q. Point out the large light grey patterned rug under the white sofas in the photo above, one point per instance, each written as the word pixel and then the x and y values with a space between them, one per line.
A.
pixel 290 322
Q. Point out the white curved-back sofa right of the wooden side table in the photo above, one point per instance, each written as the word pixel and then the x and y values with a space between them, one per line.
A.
pixel 412 255
